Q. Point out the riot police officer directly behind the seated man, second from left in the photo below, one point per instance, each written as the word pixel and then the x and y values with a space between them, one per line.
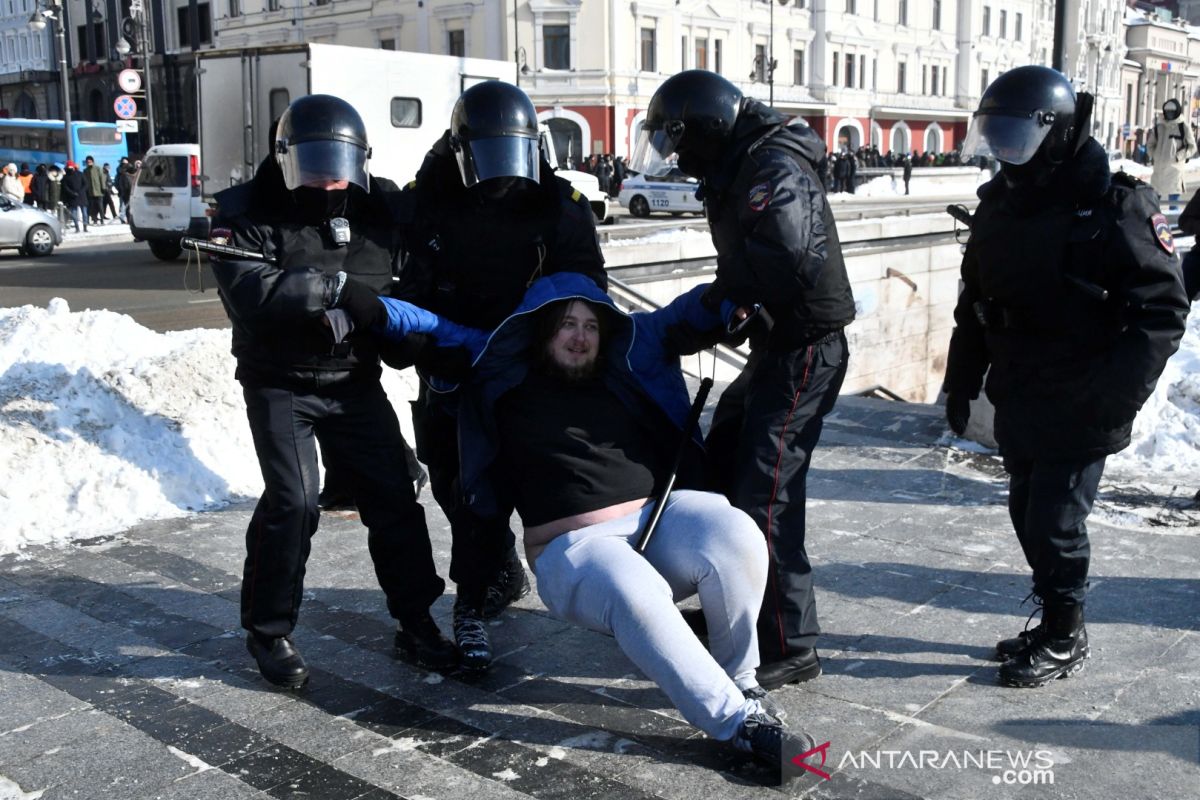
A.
pixel 485 218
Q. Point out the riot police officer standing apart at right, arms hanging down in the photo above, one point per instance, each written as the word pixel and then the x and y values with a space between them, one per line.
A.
pixel 1073 298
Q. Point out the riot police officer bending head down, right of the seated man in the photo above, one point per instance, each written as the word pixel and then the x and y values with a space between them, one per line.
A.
pixel 778 249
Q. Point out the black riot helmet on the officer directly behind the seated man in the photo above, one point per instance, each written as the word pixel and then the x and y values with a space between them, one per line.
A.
pixel 494 134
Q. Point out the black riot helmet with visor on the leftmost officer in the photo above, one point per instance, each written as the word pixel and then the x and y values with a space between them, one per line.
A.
pixel 322 139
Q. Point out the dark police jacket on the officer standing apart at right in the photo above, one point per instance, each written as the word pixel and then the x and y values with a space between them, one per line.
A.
pixel 1072 296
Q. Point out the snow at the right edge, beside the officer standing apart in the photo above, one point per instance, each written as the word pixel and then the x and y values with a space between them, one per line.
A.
pixel 1168 428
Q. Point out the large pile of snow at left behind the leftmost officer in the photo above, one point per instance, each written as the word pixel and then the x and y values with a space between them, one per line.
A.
pixel 105 424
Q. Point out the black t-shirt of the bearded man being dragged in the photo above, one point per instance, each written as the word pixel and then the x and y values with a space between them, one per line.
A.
pixel 568 448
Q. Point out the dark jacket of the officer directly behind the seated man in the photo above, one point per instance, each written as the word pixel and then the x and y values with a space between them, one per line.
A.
pixel 472 262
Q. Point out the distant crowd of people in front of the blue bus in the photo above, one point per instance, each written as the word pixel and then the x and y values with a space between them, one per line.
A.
pixel 85 196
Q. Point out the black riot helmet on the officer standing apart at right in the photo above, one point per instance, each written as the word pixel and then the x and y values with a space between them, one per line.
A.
pixel 1029 112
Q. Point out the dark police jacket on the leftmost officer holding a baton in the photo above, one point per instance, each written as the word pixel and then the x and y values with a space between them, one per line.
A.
pixel 279 333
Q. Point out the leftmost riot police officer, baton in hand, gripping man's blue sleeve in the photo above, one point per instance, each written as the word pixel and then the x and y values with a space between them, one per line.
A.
pixel 310 374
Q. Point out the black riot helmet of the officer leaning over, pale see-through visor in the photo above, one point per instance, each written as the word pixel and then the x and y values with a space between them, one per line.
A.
pixel 691 118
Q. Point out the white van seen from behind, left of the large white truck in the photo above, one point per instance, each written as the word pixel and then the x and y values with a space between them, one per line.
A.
pixel 166 204
